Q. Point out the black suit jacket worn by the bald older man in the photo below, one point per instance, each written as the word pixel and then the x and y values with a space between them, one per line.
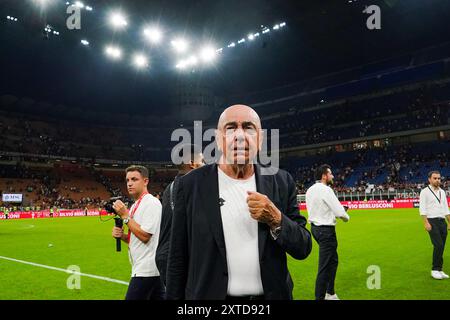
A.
pixel 197 265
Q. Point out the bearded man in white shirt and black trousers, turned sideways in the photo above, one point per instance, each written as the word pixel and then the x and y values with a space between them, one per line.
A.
pixel 323 208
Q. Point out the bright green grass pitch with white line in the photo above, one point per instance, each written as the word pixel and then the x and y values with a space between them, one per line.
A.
pixel 393 240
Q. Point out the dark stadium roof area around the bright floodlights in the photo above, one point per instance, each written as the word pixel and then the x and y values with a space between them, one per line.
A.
pixel 41 58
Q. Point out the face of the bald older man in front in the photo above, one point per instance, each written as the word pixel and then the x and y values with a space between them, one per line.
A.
pixel 239 137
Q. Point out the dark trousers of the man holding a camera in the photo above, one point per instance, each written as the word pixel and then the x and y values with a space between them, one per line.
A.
pixel 145 288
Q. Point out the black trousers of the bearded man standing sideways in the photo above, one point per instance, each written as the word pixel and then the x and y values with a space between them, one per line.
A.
pixel 325 236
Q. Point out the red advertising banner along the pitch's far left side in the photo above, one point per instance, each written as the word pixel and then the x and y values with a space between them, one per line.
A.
pixel 46 214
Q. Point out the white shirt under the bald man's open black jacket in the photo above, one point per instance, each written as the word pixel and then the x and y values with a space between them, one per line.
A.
pixel 241 236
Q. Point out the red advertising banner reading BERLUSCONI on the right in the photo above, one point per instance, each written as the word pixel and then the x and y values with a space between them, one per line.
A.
pixel 378 204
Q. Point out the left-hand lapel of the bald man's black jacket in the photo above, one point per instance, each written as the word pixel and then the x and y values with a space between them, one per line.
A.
pixel 210 197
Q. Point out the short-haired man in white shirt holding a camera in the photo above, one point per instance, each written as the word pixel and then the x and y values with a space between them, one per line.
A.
pixel 143 221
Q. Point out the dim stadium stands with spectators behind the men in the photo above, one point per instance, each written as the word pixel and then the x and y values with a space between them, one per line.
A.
pixel 383 125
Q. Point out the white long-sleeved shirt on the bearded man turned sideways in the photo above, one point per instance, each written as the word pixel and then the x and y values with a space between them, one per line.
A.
pixel 323 206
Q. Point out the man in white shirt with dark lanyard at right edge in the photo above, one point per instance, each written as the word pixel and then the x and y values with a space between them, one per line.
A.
pixel 434 209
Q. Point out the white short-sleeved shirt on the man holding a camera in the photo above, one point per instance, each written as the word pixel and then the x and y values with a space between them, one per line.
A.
pixel 142 255
